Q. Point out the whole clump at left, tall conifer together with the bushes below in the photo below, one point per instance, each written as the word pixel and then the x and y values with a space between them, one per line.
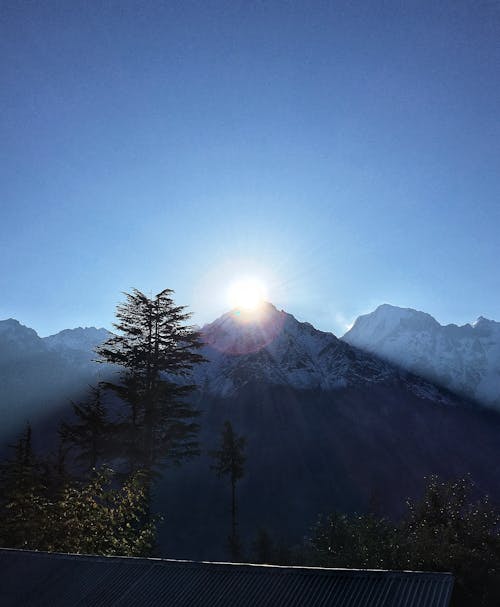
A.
pixel 71 501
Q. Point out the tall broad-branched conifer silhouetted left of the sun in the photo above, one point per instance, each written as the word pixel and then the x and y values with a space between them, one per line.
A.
pixel 156 349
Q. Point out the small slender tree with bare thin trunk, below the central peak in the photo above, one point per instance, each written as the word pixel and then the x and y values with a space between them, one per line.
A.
pixel 230 462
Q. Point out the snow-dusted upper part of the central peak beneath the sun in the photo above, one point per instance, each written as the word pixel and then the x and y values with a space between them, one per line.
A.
pixel 271 346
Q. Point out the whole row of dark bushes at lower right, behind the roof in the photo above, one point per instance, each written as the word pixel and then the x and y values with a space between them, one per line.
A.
pixel 447 530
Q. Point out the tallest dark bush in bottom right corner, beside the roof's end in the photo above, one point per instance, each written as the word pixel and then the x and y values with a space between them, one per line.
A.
pixel 449 530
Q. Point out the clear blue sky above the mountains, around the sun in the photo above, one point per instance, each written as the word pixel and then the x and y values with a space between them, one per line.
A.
pixel 345 153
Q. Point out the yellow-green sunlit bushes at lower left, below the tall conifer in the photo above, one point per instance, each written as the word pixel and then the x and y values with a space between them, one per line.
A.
pixel 42 508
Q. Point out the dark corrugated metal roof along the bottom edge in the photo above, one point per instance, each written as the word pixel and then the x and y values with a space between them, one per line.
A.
pixel 39 579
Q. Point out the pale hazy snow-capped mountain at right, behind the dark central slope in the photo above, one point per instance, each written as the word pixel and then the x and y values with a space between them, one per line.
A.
pixel 464 359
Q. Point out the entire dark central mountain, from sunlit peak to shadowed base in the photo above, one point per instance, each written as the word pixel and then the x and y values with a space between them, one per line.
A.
pixel 328 427
